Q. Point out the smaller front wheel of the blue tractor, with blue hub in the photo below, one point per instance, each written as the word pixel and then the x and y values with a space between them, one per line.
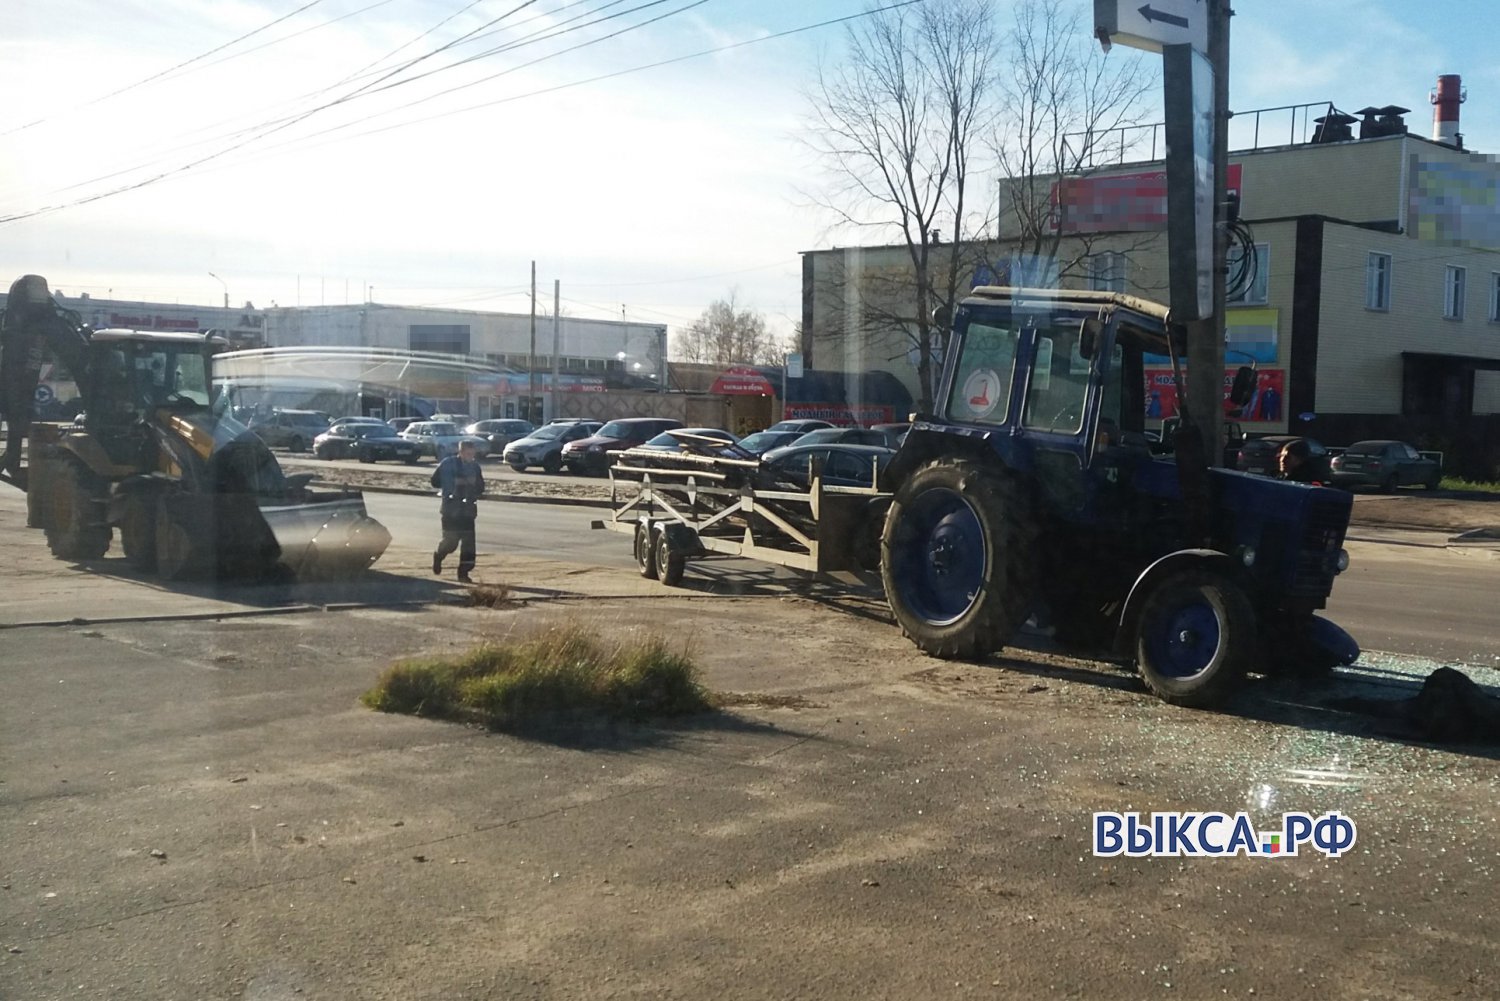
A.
pixel 1196 639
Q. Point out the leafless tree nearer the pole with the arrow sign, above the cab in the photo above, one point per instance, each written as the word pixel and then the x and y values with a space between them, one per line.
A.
pixel 1066 109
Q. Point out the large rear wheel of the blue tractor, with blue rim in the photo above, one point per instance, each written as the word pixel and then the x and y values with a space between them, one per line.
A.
pixel 955 559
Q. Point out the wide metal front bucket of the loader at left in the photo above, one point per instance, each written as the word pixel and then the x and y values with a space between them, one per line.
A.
pixel 326 538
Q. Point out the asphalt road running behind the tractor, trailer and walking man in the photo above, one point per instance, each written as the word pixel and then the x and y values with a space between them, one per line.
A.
pixel 1418 601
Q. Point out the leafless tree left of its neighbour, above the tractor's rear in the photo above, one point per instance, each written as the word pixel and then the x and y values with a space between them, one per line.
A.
pixel 895 127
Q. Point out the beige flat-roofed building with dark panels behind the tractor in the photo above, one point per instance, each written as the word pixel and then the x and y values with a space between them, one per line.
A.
pixel 1375 311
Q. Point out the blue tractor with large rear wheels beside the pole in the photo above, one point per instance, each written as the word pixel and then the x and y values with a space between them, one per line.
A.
pixel 1034 490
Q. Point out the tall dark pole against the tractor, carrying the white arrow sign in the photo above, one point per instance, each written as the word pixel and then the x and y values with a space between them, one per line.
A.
pixel 1207 341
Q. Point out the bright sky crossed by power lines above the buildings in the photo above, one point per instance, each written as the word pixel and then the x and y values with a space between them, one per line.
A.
pixel 652 193
